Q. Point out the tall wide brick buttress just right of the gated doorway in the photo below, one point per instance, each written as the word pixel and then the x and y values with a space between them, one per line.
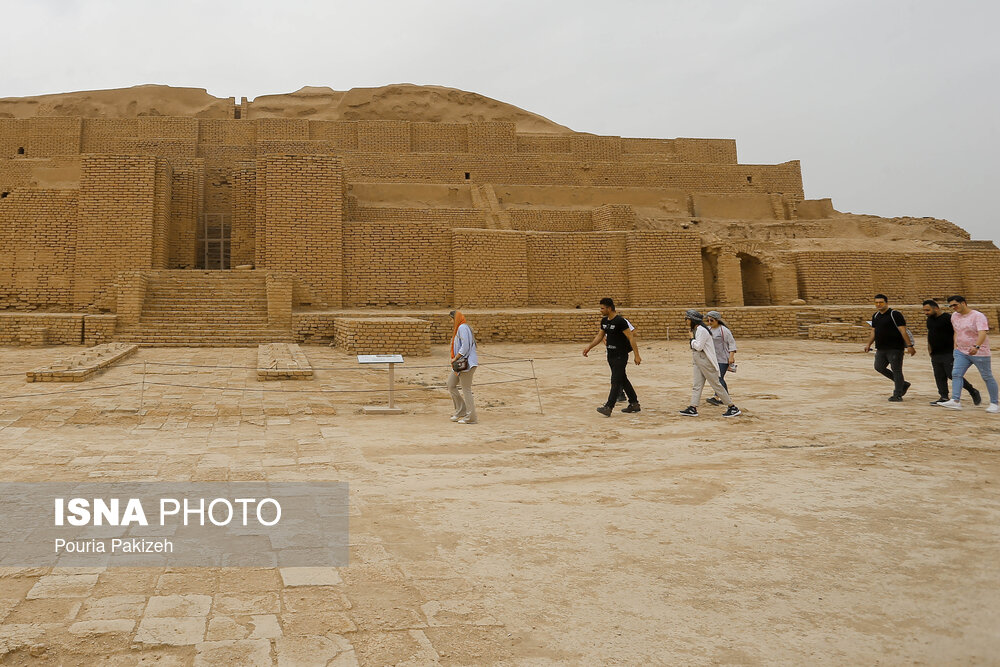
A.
pixel 299 221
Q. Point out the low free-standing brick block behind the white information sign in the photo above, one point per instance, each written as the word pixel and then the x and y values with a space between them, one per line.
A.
pixel 383 335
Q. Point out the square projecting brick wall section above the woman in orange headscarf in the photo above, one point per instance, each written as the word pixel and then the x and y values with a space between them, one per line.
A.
pixel 491 268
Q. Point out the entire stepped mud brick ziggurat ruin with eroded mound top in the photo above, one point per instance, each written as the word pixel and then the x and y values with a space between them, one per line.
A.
pixel 167 216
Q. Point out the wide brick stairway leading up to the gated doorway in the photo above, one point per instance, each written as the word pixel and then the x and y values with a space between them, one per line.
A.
pixel 204 308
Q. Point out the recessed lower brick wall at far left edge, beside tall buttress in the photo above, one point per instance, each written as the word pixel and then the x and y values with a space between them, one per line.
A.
pixel 38 238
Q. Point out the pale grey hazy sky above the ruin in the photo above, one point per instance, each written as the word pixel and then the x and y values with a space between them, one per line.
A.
pixel 891 106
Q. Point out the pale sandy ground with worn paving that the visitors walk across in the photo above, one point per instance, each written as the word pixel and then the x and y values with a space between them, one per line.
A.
pixel 825 526
